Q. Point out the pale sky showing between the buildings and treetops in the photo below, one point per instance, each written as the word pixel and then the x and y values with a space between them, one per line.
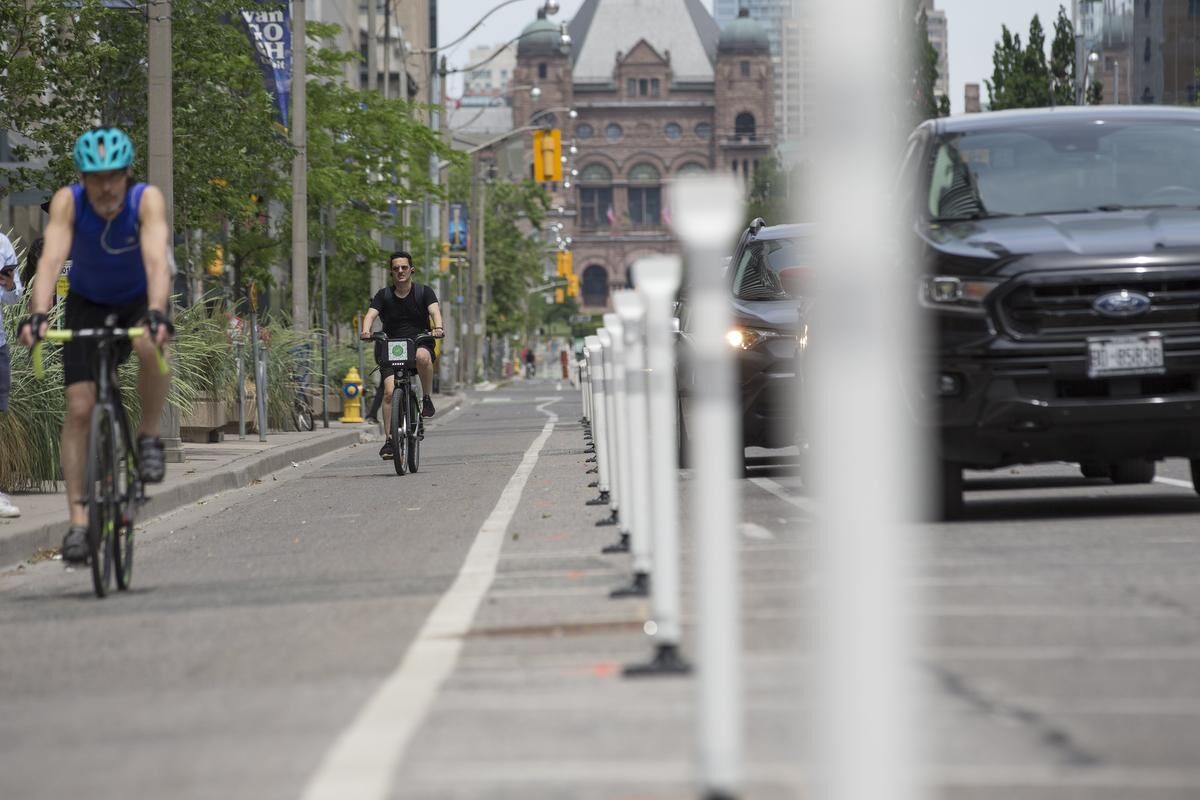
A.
pixel 975 28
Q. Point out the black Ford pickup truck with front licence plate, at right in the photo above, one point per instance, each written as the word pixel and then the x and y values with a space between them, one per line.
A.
pixel 1063 267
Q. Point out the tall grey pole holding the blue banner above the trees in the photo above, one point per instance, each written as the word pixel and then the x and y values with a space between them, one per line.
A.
pixel 299 171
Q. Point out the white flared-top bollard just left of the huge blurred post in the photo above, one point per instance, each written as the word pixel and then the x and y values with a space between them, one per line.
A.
pixel 707 212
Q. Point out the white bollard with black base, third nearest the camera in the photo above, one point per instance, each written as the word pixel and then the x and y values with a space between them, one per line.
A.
pixel 658 281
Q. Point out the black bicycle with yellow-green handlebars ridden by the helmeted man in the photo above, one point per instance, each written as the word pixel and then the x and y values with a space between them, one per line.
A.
pixel 115 489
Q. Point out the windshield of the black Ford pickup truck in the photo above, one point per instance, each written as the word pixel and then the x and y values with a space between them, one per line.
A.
pixel 1066 166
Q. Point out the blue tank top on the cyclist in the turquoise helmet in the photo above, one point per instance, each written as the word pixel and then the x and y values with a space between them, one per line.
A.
pixel 106 256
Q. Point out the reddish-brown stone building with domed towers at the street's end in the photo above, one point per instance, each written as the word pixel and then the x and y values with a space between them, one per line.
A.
pixel 659 92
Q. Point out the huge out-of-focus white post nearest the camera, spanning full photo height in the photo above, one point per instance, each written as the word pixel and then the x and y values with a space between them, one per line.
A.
pixel 869 443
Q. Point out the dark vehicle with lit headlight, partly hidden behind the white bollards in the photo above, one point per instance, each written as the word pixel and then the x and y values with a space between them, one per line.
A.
pixel 766 279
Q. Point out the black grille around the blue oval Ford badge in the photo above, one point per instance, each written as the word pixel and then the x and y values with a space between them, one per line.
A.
pixel 1066 309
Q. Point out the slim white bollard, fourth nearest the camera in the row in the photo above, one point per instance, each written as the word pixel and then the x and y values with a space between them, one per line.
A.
pixel 633 318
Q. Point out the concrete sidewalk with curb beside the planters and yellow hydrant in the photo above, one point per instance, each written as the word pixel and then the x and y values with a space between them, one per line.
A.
pixel 207 471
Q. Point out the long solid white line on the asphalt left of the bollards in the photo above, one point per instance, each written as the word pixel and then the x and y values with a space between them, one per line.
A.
pixel 367 756
